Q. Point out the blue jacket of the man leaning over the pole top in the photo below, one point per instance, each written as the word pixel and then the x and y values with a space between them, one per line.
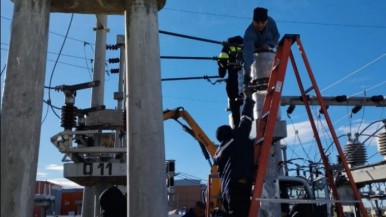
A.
pixel 254 39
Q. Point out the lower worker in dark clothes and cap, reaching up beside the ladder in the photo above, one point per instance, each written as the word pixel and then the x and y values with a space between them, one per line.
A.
pixel 234 158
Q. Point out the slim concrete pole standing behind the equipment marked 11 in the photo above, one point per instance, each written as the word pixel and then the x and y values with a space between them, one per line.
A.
pixel 90 203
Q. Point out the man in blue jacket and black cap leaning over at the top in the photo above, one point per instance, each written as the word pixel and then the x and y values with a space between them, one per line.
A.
pixel 261 35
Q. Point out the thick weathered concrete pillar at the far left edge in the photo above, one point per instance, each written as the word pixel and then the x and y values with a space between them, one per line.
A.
pixel 22 106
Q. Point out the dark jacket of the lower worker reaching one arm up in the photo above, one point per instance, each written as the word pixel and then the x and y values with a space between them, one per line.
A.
pixel 235 156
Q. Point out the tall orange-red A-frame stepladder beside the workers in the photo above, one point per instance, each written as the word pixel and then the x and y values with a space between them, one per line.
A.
pixel 265 128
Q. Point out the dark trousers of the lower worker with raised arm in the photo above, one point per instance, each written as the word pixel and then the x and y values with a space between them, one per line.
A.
pixel 236 200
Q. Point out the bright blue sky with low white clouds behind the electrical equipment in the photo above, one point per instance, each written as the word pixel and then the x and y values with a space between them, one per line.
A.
pixel 343 40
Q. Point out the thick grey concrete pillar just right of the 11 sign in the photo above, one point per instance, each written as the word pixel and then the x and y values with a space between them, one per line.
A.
pixel 146 188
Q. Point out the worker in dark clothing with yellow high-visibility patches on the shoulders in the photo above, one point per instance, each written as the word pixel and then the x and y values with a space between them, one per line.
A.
pixel 230 60
